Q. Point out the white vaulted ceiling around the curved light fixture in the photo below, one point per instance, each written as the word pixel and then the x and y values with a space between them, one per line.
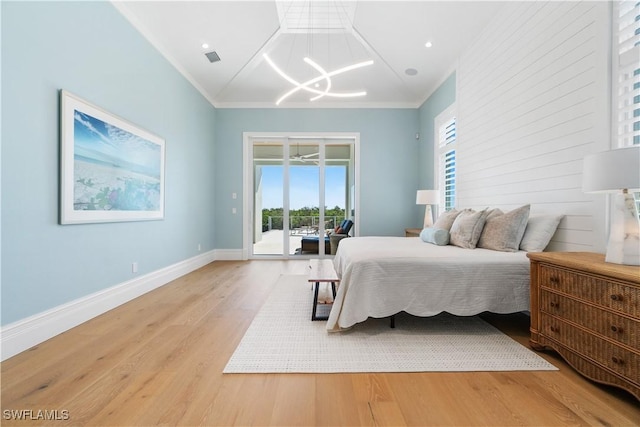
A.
pixel 391 33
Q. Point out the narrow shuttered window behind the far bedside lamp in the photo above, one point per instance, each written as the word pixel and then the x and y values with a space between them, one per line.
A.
pixel 445 155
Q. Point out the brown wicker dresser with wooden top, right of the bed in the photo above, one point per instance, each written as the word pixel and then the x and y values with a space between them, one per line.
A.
pixel 589 312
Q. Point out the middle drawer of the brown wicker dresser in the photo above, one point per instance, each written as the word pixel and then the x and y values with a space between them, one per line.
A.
pixel 603 322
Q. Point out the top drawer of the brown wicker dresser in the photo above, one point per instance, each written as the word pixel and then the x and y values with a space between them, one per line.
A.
pixel 610 294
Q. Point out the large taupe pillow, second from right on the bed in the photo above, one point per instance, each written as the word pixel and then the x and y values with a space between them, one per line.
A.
pixel 504 231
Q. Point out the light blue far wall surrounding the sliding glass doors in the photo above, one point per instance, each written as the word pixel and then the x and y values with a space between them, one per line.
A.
pixel 388 161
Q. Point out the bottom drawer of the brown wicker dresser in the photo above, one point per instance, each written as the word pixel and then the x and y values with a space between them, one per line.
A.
pixel 624 362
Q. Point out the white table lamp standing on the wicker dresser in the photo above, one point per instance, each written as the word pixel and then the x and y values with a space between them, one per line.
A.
pixel 617 171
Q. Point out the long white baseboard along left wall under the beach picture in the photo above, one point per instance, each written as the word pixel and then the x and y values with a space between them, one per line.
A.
pixel 23 334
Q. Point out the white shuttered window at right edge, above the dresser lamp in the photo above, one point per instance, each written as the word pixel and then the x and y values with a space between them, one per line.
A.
pixel 626 75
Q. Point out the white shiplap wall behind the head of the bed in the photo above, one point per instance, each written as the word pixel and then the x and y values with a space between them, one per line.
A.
pixel 533 99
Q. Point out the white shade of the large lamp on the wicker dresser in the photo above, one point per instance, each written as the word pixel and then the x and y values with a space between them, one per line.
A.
pixel 612 170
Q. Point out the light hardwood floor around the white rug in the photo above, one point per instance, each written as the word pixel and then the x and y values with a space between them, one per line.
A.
pixel 158 360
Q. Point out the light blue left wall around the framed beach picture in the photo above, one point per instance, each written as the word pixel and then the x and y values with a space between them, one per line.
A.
pixel 89 49
